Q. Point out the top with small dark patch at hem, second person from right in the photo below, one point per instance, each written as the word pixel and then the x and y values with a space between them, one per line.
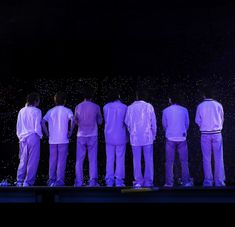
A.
pixel 175 121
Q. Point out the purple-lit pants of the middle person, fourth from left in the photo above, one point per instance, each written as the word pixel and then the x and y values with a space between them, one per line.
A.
pixel 117 151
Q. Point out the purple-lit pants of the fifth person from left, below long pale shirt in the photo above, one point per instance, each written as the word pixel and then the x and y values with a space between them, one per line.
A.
pixel 147 180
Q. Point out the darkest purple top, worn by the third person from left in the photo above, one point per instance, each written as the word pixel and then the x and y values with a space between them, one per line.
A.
pixel 87 116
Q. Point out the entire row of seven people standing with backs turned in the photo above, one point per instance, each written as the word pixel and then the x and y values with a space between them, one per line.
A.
pixel 136 123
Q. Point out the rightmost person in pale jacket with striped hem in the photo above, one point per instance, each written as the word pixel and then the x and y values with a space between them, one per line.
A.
pixel 210 118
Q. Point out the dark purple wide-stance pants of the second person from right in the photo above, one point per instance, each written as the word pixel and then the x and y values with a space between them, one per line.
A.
pixel 182 149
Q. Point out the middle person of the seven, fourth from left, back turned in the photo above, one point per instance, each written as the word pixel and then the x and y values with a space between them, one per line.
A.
pixel 116 138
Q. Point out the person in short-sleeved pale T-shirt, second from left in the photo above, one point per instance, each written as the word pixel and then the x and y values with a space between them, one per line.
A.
pixel 58 119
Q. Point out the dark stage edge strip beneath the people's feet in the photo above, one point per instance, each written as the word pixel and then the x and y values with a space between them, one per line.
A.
pixel 63 195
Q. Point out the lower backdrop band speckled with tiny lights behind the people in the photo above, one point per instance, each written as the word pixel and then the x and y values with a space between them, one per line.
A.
pixel 157 86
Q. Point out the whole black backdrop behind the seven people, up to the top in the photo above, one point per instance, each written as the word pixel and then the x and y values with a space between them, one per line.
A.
pixel 62 45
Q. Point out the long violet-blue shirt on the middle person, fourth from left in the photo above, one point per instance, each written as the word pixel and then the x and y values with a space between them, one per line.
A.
pixel 115 129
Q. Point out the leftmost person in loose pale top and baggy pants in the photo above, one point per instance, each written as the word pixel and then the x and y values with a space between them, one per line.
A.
pixel 29 133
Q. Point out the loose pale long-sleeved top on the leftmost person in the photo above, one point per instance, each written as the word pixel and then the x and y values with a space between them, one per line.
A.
pixel 29 122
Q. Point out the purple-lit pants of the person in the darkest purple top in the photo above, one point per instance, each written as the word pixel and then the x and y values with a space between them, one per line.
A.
pixel 84 144
